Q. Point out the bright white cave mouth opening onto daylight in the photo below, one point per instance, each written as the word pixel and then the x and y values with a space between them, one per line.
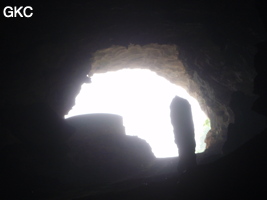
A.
pixel 143 99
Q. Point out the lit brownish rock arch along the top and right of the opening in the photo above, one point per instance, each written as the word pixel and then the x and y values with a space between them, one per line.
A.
pixel 164 61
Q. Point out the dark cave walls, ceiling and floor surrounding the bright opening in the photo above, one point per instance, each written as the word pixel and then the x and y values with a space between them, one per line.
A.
pixel 215 50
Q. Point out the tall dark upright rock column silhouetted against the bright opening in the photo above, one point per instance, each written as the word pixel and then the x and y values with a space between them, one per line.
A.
pixel 182 121
